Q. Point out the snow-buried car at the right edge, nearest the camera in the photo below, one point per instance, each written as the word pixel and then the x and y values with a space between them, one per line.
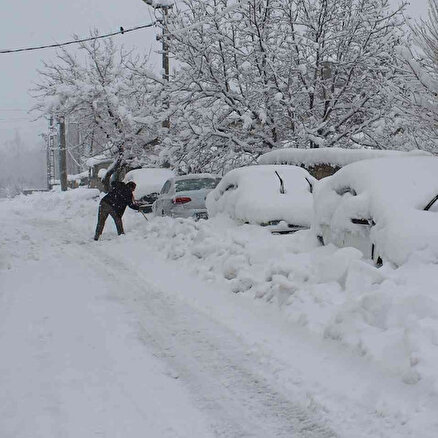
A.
pixel 387 208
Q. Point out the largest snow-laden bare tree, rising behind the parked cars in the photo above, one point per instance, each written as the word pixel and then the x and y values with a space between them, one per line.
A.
pixel 257 72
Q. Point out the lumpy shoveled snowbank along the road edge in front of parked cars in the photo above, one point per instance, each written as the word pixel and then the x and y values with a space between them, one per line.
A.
pixel 387 315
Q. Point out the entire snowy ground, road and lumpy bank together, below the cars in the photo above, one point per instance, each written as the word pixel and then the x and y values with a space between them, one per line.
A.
pixel 142 335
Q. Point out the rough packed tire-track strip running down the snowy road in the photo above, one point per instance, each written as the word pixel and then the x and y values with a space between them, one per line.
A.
pixel 212 362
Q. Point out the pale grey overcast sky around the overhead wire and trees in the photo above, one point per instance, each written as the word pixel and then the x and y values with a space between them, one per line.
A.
pixel 25 23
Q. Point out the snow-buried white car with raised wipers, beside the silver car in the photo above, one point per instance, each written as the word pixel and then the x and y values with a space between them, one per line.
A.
pixel 277 196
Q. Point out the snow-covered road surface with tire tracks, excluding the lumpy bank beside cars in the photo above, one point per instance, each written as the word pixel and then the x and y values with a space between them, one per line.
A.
pixel 113 339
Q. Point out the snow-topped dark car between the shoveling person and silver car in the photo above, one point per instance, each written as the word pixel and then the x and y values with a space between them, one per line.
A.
pixel 149 182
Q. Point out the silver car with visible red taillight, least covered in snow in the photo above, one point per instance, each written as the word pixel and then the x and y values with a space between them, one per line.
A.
pixel 184 196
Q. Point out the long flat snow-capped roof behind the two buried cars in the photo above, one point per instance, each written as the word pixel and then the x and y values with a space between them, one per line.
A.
pixel 337 157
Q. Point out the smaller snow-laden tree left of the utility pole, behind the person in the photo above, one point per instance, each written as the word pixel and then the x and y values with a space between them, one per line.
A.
pixel 111 95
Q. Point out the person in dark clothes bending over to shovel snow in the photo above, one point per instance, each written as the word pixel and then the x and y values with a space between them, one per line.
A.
pixel 114 204
